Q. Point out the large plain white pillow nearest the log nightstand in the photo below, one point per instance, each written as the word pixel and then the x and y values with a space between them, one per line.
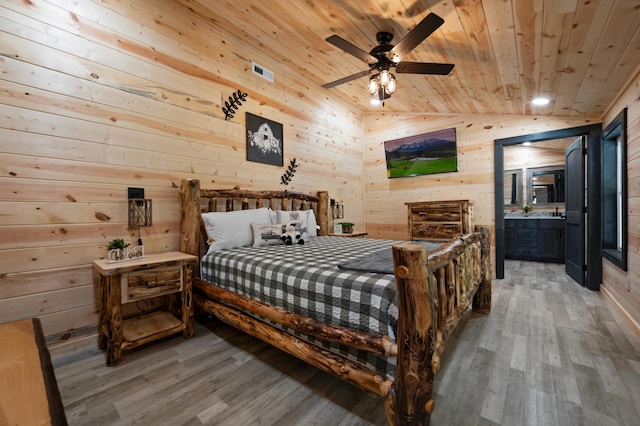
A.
pixel 232 229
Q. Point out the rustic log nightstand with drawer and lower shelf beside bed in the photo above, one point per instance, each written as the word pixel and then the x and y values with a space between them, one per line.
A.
pixel 133 280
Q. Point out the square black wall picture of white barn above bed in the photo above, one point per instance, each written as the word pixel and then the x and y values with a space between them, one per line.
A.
pixel 264 140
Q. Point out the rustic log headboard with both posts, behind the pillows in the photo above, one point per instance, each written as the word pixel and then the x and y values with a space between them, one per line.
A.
pixel 193 198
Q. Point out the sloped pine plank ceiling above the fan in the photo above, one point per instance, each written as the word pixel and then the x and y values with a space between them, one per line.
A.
pixel 579 53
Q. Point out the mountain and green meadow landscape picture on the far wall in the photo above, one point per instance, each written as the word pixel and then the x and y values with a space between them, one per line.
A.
pixel 423 154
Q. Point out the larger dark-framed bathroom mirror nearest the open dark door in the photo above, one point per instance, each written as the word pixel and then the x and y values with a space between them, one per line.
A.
pixel 545 185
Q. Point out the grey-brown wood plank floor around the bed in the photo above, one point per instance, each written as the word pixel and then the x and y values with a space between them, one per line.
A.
pixel 550 353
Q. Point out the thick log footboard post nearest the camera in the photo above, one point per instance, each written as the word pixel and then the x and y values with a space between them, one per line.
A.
pixel 410 399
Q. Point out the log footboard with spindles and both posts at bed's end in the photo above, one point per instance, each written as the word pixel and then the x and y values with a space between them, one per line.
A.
pixel 433 293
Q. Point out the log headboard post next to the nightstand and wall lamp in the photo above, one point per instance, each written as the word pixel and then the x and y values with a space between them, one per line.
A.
pixel 189 223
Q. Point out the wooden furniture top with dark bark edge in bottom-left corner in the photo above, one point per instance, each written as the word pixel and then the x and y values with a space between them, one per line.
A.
pixel 29 392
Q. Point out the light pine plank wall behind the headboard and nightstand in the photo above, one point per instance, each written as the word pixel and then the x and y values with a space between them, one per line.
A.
pixel 98 97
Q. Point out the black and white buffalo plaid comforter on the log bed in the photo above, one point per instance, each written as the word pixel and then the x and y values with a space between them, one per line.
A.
pixel 305 279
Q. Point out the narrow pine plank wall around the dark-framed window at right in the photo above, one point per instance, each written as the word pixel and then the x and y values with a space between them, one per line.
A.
pixel 614 279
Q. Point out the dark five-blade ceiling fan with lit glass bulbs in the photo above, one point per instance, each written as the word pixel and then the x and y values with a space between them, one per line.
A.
pixel 385 56
